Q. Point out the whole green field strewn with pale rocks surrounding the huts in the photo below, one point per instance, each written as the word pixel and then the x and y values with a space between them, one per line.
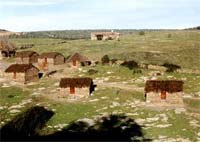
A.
pixel 182 48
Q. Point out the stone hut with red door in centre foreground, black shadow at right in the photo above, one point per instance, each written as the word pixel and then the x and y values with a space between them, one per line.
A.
pixel 78 87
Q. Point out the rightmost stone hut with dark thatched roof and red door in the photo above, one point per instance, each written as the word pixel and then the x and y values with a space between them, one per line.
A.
pixel 168 91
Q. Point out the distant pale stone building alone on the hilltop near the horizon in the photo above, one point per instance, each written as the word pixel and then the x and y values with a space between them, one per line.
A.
pixel 105 36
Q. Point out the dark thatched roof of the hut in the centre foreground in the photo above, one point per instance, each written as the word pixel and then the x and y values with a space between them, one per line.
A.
pixel 75 82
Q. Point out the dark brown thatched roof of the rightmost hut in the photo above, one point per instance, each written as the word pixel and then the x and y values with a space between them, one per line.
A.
pixel 164 85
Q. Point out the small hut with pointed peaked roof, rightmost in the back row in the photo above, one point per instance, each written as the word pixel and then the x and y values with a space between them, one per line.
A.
pixel 77 60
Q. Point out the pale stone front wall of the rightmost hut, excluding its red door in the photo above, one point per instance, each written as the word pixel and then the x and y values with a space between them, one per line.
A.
pixel 171 98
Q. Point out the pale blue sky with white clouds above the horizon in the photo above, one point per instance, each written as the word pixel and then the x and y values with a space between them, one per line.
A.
pixel 41 15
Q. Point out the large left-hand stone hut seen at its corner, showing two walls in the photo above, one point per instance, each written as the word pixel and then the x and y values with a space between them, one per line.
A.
pixel 23 73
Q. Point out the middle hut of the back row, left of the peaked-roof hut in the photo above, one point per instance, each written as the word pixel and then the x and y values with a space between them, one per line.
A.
pixel 50 59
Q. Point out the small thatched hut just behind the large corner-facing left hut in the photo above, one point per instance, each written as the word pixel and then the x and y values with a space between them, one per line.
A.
pixel 27 57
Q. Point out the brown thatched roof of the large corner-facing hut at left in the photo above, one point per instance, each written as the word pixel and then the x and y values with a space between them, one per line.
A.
pixel 19 68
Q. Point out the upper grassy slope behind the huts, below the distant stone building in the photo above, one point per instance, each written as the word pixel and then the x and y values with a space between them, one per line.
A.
pixel 183 48
